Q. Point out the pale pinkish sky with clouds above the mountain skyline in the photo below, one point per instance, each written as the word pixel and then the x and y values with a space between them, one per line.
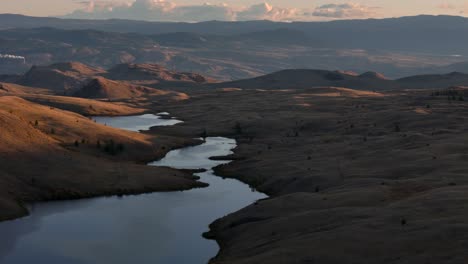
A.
pixel 199 10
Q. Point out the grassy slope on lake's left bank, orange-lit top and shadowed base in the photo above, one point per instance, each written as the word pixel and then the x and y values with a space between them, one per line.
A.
pixel 48 153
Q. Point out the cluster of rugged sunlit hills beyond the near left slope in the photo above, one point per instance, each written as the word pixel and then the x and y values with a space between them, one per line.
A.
pixel 126 80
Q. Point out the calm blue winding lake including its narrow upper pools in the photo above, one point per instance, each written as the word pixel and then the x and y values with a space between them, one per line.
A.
pixel 151 228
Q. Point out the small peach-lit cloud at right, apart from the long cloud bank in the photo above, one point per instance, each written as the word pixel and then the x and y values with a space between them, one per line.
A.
pixel 346 10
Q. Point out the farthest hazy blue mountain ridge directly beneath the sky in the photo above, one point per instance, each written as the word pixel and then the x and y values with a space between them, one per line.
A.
pixel 424 33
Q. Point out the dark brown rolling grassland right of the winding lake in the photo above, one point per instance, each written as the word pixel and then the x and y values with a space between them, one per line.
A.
pixel 354 177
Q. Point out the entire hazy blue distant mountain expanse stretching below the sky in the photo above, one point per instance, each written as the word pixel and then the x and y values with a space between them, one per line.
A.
pixel 226 51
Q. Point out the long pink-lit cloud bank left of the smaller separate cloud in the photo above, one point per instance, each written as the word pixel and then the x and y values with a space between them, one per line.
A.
pixel 161 10
